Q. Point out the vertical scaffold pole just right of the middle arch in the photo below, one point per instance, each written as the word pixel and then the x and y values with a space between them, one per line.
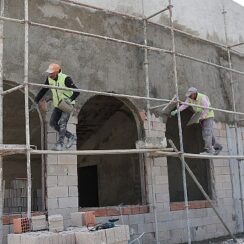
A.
pixel 146 69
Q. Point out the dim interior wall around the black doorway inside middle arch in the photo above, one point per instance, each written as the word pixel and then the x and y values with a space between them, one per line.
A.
pixel 115 172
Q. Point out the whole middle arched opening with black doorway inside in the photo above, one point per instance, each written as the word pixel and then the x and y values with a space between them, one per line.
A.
pixel 108 123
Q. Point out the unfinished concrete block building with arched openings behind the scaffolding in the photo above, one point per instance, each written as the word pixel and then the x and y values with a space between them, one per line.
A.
pixel 127 186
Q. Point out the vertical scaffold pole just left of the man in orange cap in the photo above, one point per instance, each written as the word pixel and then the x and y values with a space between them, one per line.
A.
pixel 27 119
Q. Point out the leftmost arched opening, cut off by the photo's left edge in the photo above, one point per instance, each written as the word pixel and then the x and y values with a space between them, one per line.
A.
pixel 14 166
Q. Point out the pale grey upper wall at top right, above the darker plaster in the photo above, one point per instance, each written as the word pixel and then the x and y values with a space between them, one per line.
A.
pixel 203 18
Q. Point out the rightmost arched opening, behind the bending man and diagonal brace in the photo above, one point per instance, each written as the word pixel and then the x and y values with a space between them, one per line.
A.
pixel 193 143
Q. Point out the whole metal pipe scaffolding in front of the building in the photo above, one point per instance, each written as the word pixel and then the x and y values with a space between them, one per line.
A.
pixel 158 152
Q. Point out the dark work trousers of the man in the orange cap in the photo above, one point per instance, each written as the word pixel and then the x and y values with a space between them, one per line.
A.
pixel 58 121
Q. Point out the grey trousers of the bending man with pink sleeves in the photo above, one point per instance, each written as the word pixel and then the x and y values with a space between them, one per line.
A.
pixel 207 134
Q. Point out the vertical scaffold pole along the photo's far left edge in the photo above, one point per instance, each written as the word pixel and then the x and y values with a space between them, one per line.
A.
pixel 1 123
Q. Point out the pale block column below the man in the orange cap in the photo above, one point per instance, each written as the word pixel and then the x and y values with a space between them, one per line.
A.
pixel 62 179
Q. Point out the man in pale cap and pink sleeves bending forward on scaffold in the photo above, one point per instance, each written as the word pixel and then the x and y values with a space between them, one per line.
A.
pixel 206 119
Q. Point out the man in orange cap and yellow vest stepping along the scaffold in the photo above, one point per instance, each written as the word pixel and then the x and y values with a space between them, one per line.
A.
pixel 59 117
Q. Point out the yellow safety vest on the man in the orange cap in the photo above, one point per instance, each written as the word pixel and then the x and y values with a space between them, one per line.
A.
pixel 58 95
